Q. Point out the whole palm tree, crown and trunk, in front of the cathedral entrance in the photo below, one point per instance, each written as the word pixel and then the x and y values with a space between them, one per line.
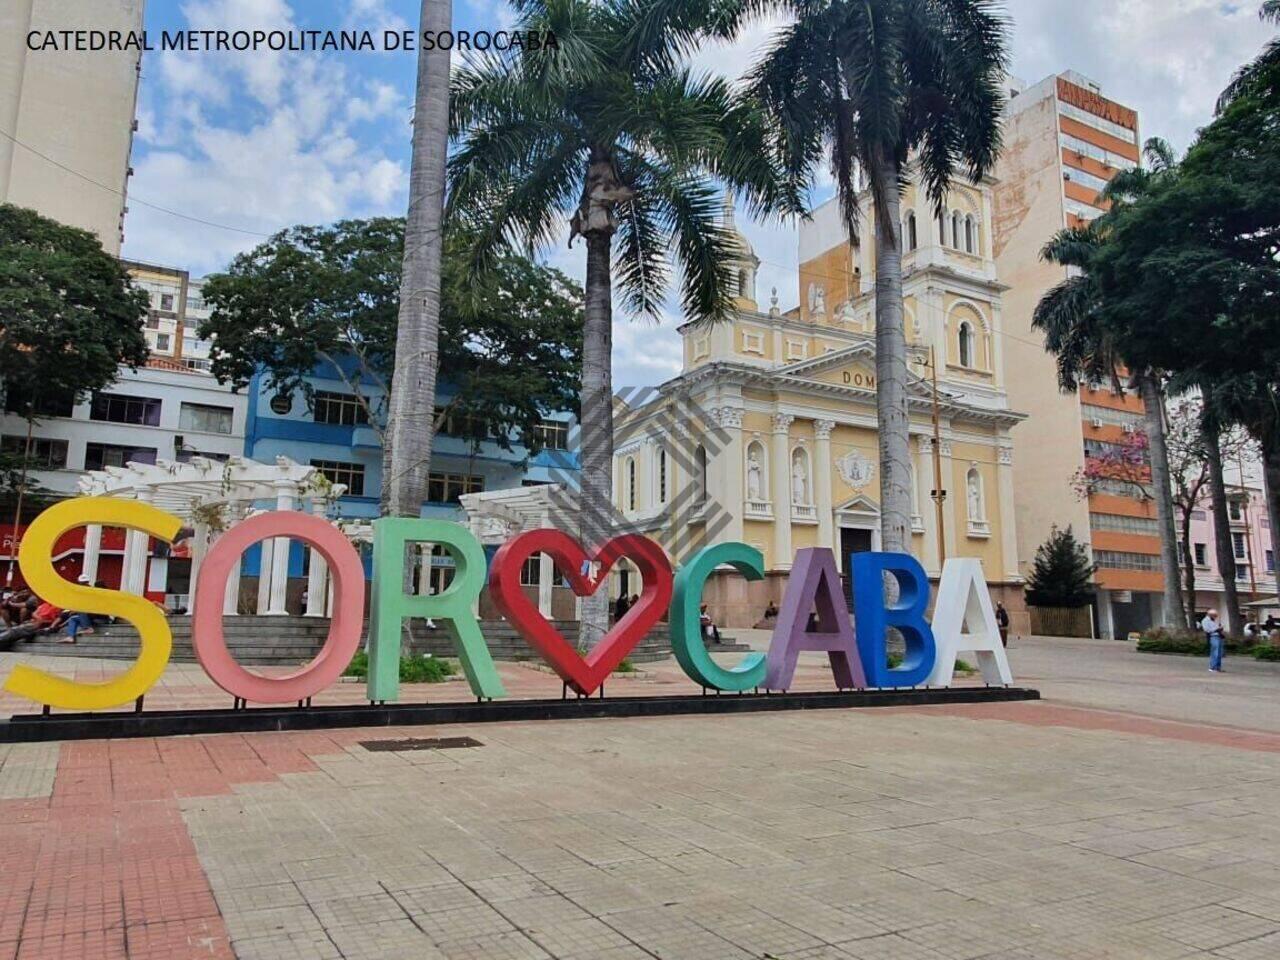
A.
pixel 880 85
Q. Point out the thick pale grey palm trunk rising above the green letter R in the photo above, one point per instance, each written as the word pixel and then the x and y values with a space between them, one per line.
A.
pixel 419 326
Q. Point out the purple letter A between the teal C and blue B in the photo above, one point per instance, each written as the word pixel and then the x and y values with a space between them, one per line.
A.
pixel 815 586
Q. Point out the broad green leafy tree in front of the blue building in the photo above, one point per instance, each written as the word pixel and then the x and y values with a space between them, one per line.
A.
pixel 328 298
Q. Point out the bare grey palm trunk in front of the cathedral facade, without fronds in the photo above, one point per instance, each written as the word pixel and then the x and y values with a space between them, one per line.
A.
pixel 892 374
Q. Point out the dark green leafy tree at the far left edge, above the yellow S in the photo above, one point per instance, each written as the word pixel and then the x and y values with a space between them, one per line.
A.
pixel 70 318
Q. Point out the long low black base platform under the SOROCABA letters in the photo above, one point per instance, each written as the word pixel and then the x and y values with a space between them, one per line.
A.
pixel 161 724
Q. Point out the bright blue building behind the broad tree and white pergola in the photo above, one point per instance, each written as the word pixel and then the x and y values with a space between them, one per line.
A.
pixel 333 435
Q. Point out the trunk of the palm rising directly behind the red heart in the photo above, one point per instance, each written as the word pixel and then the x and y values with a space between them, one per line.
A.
pixel 597 422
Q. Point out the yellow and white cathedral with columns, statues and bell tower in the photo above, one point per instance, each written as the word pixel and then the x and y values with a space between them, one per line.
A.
pixel 769 436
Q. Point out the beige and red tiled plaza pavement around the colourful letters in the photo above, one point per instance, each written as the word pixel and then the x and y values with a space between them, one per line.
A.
pixel 1131 815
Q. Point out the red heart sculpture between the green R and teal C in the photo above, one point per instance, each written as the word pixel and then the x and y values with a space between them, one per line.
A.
pixel 584 675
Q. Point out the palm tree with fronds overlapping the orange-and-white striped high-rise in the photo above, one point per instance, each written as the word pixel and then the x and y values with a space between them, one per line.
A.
pixel 1089 350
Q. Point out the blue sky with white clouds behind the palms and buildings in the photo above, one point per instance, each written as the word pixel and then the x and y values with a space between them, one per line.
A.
pixel 232 148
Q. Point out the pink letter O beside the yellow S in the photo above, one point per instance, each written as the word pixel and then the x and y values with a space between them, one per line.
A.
pixel 345 629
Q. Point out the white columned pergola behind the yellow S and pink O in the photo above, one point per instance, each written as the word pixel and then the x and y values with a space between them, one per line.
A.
pixel 213 496
